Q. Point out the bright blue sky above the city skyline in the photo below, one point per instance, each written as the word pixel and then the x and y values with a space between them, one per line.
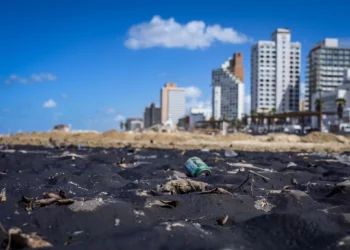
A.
pixel 91 63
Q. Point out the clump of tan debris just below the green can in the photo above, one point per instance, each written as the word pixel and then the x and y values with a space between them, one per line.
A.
pixel 182 186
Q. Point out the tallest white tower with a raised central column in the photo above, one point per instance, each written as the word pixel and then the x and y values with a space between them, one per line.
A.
pixel 275 74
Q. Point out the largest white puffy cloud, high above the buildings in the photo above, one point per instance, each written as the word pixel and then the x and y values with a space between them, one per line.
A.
pixel 170 34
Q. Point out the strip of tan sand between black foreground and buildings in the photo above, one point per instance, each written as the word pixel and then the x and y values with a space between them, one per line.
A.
pixel 184 140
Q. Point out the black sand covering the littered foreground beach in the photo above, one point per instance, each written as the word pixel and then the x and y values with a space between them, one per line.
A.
pixel 299 207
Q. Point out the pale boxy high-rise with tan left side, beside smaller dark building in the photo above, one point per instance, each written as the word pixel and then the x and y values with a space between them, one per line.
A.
pixel 172 103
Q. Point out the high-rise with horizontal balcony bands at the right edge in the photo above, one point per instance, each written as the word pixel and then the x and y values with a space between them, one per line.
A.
pixel 327 61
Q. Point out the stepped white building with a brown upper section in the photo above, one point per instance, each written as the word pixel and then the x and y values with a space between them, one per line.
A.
pixel 228 89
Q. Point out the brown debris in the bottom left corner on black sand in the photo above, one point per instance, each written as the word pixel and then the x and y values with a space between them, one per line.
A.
pixel 17 239
